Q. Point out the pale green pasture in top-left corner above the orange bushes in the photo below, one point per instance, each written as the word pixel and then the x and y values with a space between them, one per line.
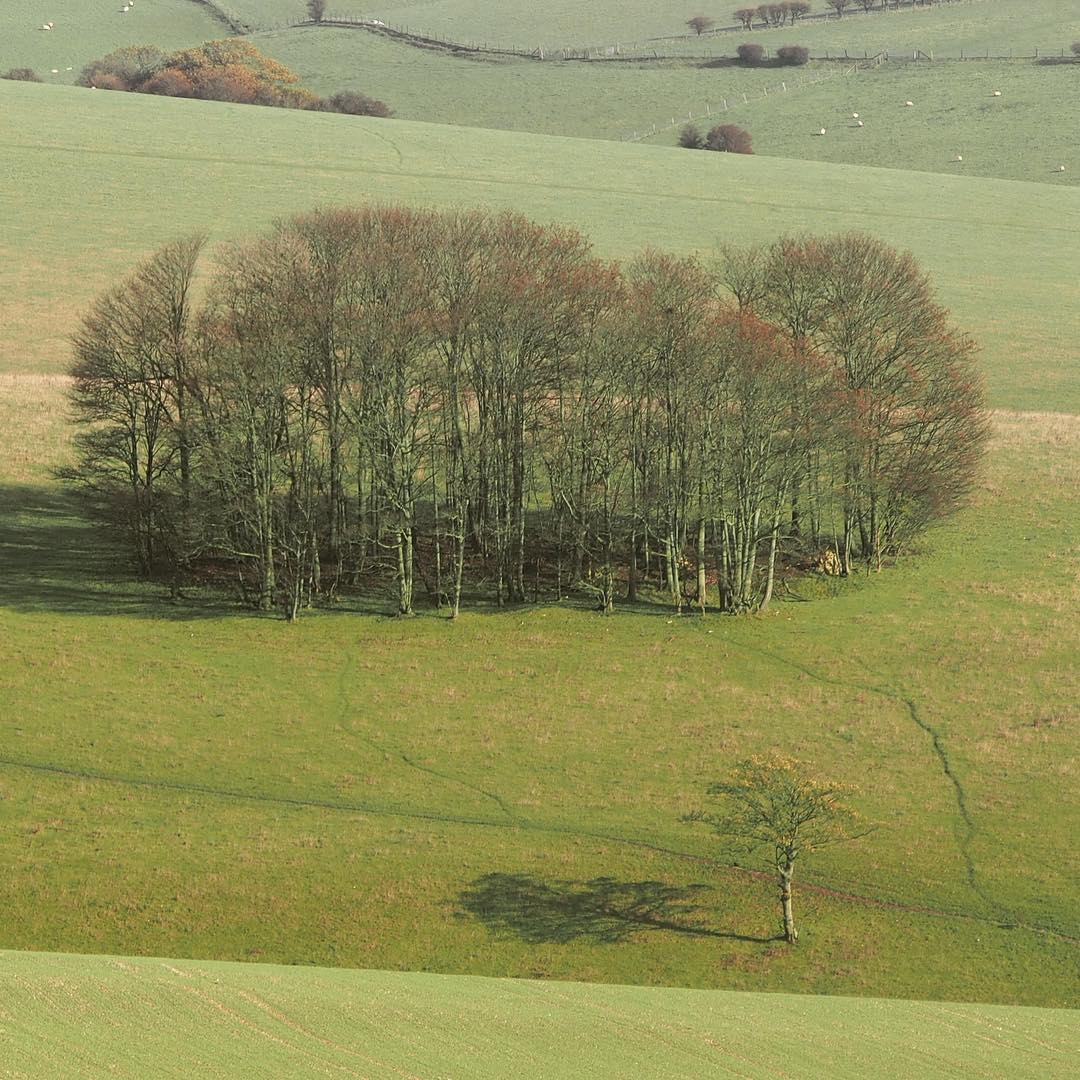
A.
pixel 86 30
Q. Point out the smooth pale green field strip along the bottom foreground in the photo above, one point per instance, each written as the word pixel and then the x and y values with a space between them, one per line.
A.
pixel 84 1016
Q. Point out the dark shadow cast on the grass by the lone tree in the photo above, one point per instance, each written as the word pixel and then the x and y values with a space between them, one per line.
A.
pixel 602 910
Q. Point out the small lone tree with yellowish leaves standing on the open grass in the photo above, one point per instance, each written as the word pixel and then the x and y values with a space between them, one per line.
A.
pixel 773 804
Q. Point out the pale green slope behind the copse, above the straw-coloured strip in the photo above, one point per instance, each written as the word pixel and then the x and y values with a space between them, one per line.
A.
pixel 96 181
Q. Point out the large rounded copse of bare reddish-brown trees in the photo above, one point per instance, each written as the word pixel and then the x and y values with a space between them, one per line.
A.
pixel 465 404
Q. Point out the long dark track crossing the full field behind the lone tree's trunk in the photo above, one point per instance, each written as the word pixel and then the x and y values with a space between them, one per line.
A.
pixel 517 825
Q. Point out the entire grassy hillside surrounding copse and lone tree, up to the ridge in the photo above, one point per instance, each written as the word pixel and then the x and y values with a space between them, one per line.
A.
pixel 502 796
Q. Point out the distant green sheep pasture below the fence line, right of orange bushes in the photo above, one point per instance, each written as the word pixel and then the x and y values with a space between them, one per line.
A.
pixel 1007 138
